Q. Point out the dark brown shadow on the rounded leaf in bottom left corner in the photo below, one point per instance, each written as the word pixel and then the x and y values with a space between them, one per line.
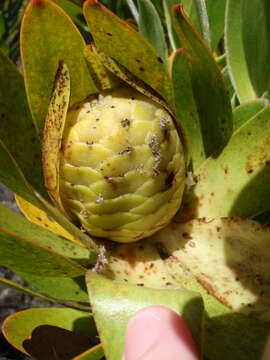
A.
pixel 54 343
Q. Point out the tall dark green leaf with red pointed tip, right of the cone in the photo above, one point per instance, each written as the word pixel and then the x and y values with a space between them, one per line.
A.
pixel 212 100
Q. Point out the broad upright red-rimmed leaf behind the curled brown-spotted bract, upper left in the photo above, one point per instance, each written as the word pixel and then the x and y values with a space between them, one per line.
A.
pixel 46 26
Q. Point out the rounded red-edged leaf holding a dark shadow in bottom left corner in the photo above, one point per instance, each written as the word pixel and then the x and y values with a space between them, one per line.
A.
pixel 18 327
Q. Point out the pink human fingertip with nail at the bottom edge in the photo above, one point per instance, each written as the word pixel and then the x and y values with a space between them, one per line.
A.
pixel 158 333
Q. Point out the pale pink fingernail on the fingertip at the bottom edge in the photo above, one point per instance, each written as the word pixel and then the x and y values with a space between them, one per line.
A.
pixel 142 333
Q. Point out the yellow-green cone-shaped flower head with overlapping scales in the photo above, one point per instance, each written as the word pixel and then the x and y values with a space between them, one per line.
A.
pixel 122 166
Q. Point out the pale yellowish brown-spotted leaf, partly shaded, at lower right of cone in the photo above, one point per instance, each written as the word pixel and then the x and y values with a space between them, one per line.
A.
pixel 229 257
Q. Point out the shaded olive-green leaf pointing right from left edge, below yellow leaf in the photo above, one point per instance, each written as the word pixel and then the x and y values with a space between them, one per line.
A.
pixel 20 253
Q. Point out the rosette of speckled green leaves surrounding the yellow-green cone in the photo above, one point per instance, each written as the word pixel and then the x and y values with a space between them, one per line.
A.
pixel 210 263
